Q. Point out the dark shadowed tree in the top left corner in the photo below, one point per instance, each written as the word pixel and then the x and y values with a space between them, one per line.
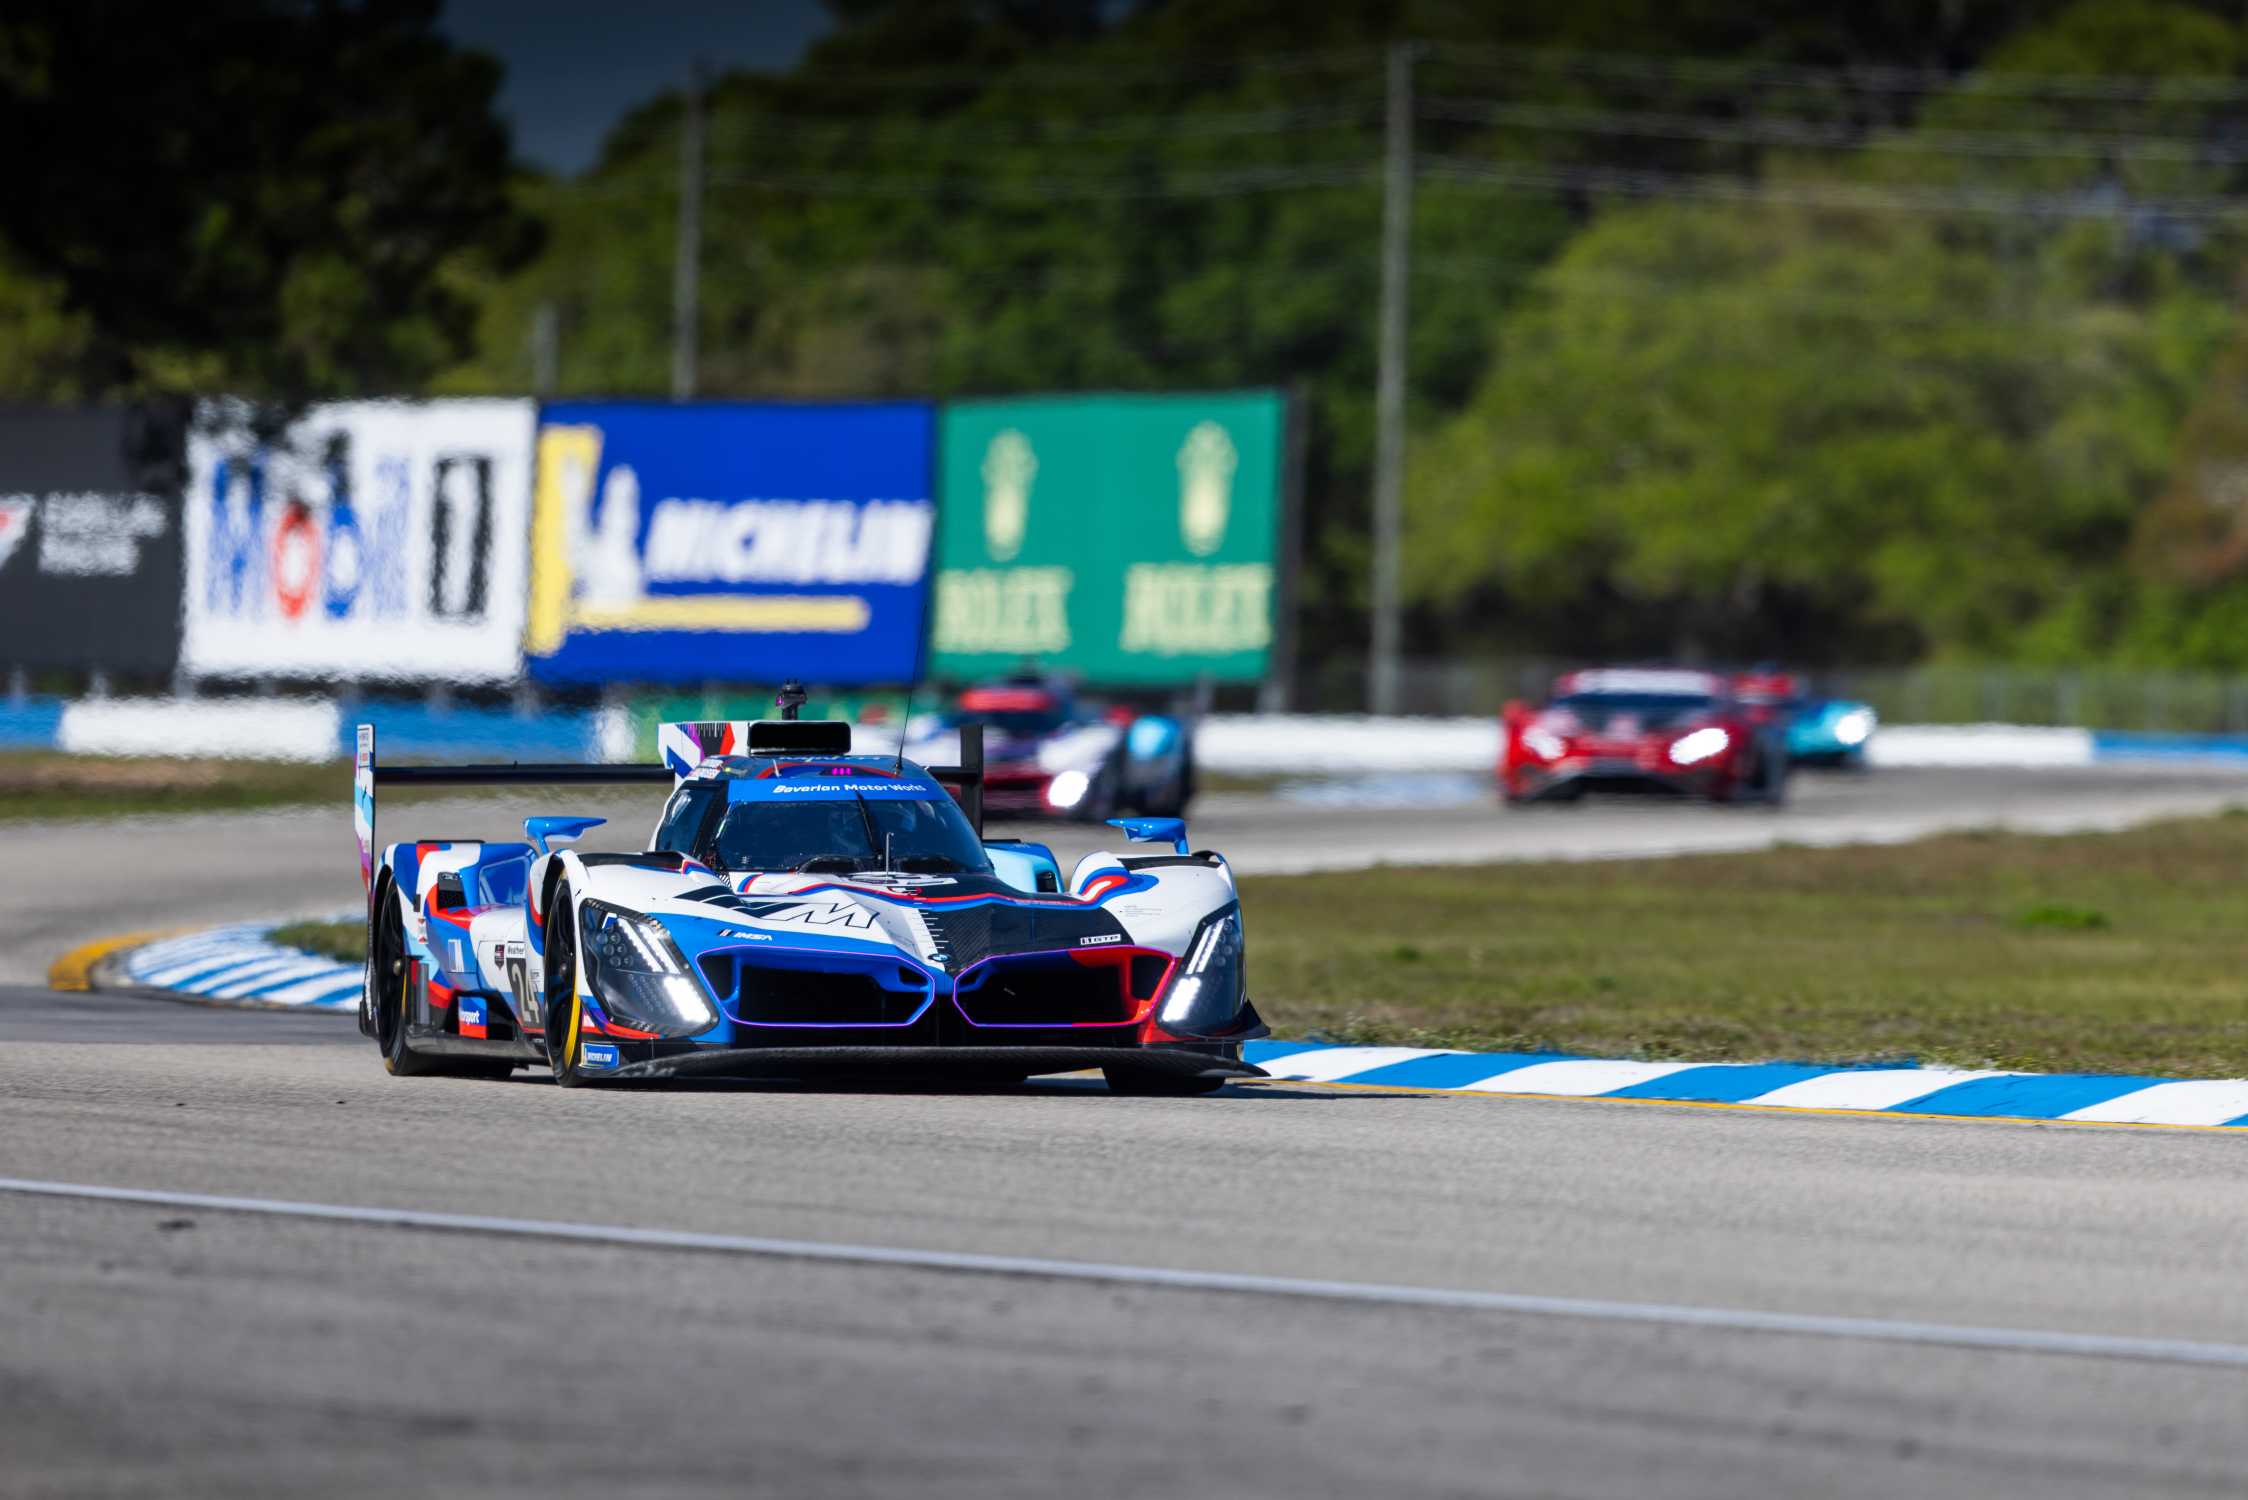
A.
pixel 251 195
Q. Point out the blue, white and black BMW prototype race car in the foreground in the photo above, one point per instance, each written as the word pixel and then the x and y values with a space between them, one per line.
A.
pixel 797 912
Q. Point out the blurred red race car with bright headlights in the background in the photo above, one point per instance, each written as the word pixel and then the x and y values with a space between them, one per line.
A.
pixel 1644 730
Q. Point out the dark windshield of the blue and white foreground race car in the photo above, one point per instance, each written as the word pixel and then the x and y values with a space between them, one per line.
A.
pixel 849 835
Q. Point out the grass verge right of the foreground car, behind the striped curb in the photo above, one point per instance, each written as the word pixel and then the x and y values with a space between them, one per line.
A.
pixel 2083 955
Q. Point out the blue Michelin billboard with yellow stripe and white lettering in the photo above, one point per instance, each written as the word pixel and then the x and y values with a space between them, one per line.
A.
pixel 732 543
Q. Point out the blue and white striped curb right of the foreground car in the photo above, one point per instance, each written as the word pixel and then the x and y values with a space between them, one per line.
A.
pixel 2094 1099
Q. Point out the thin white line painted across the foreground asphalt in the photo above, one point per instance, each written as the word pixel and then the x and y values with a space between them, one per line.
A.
pixel 1728 1319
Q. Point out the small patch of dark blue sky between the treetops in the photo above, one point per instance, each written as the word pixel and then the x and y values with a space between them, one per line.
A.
pixel 574 66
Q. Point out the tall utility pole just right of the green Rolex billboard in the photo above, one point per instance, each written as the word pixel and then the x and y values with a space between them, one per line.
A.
pixel 1390 386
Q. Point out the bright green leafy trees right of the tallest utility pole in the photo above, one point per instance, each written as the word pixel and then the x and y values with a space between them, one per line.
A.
pixel 1833 424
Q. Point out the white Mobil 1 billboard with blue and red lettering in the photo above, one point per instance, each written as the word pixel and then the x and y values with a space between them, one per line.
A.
pixel 363 541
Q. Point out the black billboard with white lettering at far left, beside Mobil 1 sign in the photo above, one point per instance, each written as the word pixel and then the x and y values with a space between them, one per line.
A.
pixel 91 539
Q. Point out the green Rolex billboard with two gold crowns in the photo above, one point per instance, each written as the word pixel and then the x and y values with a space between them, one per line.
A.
pixel 1121 539
